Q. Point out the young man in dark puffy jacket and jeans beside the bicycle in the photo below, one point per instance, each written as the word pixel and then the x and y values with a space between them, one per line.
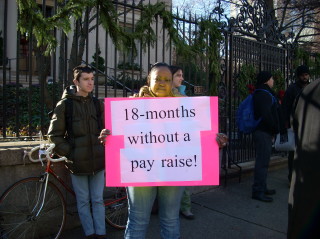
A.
pixel 74 128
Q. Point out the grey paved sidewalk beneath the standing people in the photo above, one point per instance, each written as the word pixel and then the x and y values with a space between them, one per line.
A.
pixel 227 213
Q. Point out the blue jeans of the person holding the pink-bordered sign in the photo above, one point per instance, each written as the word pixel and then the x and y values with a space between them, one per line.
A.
pixel 140 204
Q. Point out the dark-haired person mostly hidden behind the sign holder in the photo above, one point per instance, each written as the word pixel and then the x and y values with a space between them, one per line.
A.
pixel 178 88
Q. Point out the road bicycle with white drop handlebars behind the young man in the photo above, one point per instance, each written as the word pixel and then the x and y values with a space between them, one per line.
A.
pixel 34 207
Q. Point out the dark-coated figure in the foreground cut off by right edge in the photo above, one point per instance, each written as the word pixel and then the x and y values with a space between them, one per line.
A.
pixel 304 195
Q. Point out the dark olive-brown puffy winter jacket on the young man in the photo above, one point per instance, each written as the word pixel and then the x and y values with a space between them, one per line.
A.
pixel 84 148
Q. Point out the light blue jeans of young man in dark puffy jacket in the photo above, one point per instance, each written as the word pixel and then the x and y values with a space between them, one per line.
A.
pixel 89 194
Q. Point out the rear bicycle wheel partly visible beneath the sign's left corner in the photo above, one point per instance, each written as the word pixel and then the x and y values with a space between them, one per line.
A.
pixel 117 208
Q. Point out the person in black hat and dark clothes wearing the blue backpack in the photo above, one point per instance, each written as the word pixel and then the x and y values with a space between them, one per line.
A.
pixel 266 108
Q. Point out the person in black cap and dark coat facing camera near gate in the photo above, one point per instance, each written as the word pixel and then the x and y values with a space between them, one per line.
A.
pixel 294 89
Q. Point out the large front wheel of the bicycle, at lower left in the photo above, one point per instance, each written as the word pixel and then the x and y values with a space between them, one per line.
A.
pixel 19 209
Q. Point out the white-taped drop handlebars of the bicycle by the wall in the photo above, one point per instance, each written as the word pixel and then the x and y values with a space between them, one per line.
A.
pixel 47 151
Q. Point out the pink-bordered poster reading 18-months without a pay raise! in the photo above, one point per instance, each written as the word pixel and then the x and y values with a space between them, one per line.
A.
pixel 167 141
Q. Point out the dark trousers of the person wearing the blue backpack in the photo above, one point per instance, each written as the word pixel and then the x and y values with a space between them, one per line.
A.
pixel 263 143
